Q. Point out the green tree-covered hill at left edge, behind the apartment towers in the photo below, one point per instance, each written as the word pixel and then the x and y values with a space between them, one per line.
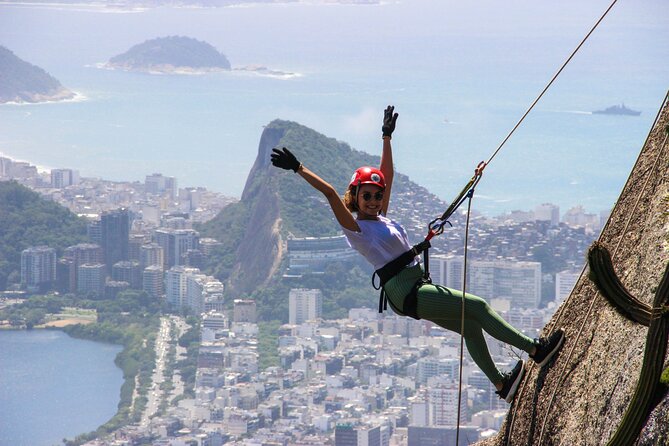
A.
pixel 27 219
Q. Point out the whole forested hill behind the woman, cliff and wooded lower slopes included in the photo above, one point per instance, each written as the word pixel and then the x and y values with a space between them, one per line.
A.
pixel 277 204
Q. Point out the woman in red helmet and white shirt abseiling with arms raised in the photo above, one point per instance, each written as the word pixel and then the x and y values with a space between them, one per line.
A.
pixel 381 240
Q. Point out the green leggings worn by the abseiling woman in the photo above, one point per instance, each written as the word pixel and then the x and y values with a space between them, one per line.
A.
pixel 442 306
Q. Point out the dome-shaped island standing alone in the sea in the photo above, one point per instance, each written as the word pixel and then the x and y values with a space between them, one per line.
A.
pixel 174 54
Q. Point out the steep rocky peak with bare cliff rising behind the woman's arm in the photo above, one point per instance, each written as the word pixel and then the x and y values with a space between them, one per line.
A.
pixel 276 204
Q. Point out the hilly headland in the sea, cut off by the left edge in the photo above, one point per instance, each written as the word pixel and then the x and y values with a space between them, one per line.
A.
pixel 22 82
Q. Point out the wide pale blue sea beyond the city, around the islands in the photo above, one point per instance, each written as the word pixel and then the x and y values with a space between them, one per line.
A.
pixel 460 74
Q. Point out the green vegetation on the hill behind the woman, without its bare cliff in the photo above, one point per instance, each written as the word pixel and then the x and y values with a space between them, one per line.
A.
pixel 303 213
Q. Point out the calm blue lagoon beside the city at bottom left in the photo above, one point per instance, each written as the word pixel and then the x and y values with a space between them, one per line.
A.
pixel 54 387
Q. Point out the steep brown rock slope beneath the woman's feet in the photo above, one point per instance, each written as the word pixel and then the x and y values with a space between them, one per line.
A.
pixel 581 397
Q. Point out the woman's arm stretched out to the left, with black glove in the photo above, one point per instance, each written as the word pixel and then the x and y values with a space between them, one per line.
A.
pixel 286 160
